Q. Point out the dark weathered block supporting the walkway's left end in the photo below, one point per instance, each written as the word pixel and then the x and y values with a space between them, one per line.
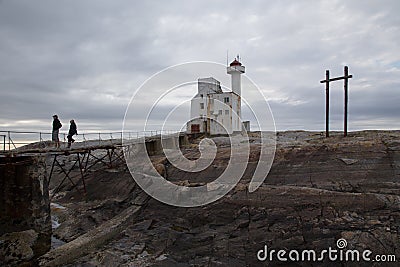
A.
pixel 24 208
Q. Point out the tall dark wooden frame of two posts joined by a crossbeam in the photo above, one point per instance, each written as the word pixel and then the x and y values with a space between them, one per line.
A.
pixel 346 78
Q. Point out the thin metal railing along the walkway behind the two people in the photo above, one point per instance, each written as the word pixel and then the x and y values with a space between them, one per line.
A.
pixel 17 139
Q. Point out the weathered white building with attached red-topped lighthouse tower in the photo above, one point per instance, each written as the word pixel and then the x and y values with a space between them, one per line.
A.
pixel 214 111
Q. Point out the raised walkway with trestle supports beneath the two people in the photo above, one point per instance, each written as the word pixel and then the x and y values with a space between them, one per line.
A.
pixel 82 156
